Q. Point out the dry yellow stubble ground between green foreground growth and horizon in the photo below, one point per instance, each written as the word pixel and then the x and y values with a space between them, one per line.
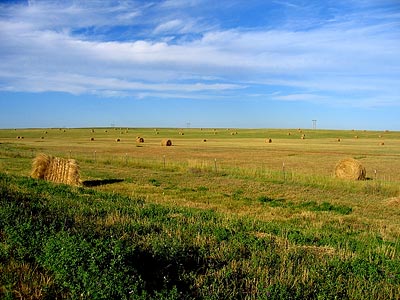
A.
pixel 225 164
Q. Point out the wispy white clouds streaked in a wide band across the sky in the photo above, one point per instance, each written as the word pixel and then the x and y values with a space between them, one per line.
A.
pixel 44 48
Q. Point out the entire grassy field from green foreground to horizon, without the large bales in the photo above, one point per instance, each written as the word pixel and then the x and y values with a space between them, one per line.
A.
pixel 277 224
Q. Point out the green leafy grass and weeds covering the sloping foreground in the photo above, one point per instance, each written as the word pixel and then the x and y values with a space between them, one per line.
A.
pixel 79 243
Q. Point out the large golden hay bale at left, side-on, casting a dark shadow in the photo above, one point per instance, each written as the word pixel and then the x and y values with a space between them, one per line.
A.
pixel 55 169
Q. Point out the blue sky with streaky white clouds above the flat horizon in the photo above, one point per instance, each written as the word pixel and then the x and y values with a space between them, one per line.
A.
pixel 254 64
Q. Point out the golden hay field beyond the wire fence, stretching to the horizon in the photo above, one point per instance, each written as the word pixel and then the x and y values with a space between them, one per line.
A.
pixel 317 154
